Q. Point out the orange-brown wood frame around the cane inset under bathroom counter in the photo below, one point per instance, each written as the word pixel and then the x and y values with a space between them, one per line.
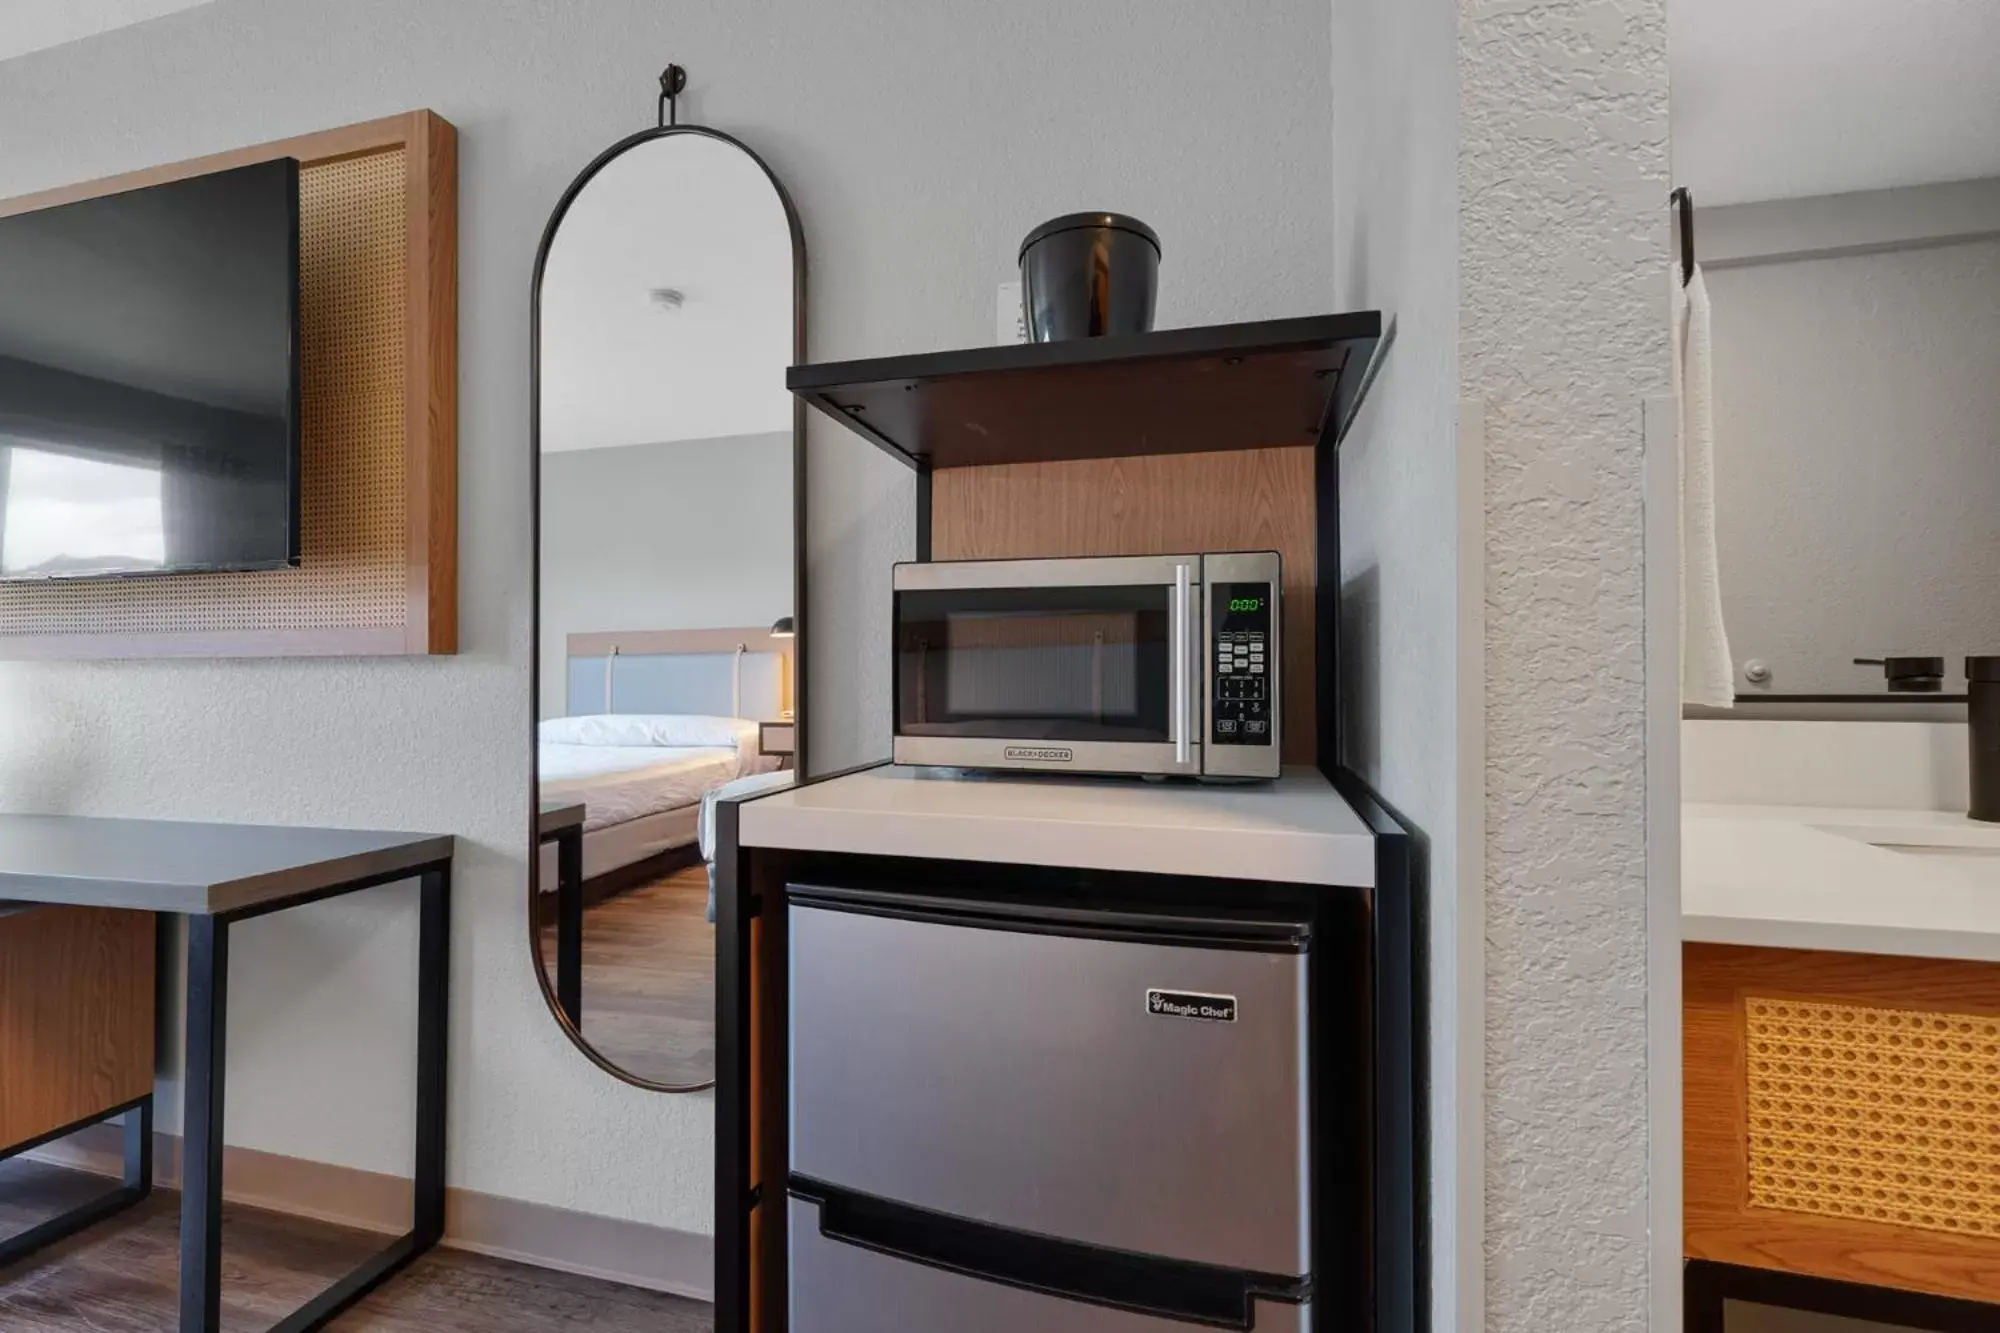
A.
pixel 1719 1218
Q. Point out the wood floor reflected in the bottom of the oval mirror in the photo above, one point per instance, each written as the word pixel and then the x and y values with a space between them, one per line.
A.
pixel 651 980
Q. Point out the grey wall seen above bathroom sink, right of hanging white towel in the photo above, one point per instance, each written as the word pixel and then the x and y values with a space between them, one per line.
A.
pixel 1857 493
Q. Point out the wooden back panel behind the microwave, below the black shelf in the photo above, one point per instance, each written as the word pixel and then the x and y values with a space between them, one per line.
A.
pixel 1153 505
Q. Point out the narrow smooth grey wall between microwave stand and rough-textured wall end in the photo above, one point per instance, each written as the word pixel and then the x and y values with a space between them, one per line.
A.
pixel 1401 649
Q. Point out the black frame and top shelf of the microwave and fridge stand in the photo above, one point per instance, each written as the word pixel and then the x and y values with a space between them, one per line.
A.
pixel 1179 391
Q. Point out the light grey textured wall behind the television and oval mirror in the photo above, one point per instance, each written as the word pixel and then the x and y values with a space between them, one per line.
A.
pixel 921 143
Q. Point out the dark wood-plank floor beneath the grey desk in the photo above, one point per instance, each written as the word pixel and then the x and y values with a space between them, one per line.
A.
pixel 121 1276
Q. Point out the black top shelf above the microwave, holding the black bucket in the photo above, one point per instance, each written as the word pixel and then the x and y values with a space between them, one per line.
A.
pixel 1177 391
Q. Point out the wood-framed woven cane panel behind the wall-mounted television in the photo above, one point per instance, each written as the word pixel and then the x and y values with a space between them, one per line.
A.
pixel 379 355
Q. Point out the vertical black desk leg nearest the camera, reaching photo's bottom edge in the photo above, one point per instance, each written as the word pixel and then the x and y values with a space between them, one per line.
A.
pixel 201 1178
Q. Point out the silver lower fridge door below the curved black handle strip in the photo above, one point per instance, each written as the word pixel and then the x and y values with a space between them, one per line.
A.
pixel 841 1288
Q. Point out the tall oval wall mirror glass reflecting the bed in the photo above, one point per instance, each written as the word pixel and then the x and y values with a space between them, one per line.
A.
pixel 669 301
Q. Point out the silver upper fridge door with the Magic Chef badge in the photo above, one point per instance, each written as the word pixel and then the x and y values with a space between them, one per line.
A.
pixel 1101 1088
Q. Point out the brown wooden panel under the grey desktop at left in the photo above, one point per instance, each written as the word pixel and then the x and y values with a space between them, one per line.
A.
pixel 75 1016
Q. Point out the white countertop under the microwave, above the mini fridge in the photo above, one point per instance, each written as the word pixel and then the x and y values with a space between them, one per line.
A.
pixel 1297 830
